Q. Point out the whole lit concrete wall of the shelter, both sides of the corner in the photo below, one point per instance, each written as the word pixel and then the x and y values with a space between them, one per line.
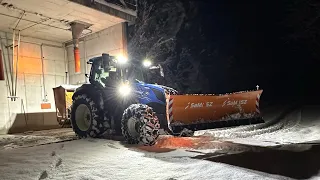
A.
pixel 25 113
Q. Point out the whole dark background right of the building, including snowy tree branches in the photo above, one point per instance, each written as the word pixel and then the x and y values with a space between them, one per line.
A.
pixel 221 46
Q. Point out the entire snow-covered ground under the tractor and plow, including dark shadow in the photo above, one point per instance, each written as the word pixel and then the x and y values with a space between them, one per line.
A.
pixel 229 153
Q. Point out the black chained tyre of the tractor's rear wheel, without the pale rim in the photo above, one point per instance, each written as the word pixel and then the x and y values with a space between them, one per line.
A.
pixel 96 127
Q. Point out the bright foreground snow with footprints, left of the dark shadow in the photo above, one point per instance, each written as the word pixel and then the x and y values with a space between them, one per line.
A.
pixel 105 159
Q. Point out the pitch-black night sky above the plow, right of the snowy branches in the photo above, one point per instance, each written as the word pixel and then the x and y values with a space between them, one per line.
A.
pixel 241 44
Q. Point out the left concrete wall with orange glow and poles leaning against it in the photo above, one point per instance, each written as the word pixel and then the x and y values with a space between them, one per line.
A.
pixel 30 84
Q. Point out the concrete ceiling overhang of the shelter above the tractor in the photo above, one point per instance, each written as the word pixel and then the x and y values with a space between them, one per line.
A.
pixel 50 19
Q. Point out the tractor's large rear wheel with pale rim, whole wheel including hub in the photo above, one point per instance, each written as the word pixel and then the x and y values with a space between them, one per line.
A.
pixel 86 117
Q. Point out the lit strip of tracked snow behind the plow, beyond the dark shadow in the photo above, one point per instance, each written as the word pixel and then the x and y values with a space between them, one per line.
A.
pixel 298 126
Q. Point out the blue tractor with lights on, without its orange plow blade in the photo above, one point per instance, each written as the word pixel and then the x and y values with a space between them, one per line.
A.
pixel 115 102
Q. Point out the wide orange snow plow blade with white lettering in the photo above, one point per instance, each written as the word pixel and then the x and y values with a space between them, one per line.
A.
pixel 205 111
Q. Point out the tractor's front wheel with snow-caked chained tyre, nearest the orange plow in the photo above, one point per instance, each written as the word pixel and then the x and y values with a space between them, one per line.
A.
pixel 139 124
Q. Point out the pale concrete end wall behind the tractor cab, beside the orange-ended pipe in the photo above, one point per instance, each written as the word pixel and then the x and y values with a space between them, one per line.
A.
pixel 110 40
